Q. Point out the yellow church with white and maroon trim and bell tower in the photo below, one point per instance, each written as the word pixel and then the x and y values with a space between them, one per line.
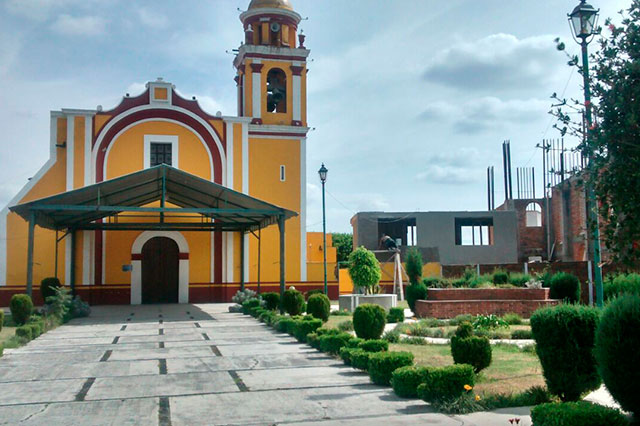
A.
pixel 260 152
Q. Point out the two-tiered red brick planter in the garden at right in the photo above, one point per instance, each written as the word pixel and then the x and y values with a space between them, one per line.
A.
pixel 448 303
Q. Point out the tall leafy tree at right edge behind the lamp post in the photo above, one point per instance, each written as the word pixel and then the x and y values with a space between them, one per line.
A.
pixel 612 142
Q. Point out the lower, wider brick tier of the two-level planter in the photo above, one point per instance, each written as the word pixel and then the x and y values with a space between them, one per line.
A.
pixel 452 308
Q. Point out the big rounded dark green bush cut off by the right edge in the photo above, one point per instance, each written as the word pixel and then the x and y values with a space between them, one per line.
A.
pixel 618 351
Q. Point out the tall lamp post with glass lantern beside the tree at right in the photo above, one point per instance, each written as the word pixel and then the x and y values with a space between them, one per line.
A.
pixel 583 21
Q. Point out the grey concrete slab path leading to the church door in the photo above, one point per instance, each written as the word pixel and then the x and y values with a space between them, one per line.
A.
pixel 192 365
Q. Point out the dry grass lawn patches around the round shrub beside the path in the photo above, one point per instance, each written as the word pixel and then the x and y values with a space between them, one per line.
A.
pixel 510 371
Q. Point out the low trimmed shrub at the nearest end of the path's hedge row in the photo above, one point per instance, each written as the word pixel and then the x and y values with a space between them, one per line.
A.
pixel 446 383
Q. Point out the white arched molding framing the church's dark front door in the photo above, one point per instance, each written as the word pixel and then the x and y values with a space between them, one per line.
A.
pixel 183 265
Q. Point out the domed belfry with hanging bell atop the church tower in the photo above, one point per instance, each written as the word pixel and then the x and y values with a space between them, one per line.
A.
pixel 271 65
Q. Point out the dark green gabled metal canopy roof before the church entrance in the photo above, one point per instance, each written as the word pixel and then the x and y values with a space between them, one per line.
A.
pixel 119 204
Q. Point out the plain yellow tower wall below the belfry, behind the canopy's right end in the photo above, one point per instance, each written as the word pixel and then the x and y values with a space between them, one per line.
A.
pixel 265 158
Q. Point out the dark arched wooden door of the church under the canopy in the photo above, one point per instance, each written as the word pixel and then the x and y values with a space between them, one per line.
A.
pixel 160 277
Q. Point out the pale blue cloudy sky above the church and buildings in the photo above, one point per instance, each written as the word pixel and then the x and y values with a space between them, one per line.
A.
pixel 409 101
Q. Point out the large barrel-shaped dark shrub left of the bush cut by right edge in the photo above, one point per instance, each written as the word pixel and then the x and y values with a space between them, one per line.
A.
pixel 565 338
